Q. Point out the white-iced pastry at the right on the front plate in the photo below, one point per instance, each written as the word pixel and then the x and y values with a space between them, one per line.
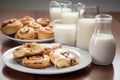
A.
pixel 63 58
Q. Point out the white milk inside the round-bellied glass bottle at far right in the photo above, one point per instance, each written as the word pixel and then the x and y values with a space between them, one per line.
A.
pixel 102 49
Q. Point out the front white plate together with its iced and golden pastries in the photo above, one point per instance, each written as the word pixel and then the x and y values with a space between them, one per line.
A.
pixel 47 58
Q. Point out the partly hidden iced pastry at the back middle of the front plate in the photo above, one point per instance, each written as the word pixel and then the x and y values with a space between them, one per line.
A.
pixel 49 47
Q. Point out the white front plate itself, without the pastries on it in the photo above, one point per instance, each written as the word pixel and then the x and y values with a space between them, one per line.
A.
pixel 83 57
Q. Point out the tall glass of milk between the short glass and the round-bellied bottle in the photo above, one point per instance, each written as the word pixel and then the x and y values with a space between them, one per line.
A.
pixel 86 25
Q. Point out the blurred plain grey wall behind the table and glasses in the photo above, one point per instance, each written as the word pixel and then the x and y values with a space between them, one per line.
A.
pixel 105 5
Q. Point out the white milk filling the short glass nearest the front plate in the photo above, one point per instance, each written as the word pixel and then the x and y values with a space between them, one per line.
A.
pixel 65 33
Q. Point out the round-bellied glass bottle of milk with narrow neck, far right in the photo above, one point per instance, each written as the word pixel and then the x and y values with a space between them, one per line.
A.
pixel 102 44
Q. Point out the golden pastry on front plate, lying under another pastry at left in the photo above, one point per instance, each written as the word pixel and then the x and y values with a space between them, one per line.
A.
pixel 37 61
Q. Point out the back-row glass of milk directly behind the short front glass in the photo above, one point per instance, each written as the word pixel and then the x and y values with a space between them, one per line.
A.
pixel 70 15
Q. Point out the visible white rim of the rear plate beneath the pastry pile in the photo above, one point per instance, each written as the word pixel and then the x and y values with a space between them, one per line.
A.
pixel 24 41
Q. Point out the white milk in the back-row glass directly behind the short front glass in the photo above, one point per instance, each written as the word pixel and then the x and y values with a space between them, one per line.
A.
pixel 69 17
